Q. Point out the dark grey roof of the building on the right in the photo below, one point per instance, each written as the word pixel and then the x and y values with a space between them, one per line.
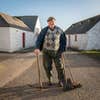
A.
pixel 83 26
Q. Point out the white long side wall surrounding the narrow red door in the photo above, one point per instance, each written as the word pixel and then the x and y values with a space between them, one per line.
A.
pixel 16 39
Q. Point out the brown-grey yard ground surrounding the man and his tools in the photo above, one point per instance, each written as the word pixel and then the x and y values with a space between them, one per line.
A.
pixel 85 70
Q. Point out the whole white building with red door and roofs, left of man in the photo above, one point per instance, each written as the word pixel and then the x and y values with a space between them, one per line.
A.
pixel 18 33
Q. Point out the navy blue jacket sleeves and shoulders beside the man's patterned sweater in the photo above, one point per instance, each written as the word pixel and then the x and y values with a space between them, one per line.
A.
pixel 41 37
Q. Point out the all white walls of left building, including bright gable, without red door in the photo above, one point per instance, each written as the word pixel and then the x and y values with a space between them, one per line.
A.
pixel 11 38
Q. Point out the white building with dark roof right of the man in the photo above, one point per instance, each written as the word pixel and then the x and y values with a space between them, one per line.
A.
pixel 84 35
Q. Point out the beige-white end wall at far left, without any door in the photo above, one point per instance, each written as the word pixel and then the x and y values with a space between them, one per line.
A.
pixel 4 39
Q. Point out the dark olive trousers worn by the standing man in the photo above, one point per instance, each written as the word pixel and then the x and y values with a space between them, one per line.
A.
pixel 48 57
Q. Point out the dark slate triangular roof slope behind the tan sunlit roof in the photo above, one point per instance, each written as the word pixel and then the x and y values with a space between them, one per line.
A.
pixel 30 21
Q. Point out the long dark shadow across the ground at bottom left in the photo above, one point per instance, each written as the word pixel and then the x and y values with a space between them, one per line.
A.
pixel 28 92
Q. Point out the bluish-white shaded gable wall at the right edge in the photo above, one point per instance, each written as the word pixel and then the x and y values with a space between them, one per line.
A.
pixel 94 37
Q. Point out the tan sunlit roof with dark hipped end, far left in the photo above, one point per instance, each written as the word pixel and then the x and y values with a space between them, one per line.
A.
pixel 9 21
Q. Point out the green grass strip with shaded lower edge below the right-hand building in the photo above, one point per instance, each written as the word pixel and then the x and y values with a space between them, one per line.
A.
pixel 92 53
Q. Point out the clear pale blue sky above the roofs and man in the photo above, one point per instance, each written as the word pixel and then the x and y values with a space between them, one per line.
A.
pixel 66 12
